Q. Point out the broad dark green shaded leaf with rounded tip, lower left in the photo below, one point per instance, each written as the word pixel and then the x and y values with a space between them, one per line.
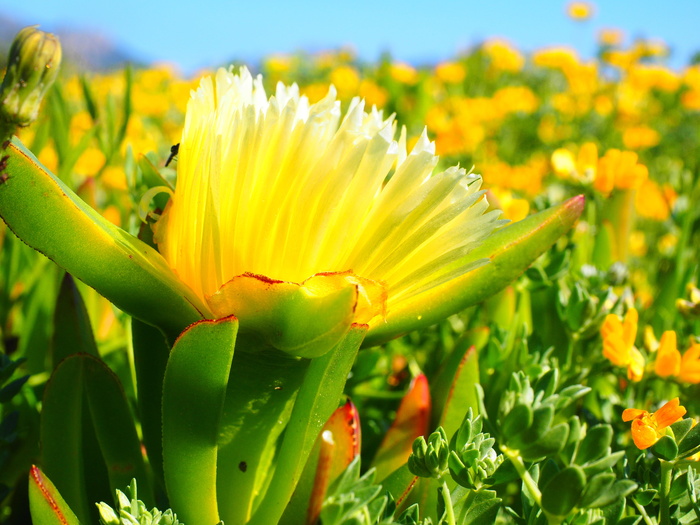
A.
pixel 89 443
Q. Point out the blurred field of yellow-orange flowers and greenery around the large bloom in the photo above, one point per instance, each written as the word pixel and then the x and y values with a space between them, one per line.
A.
pixel 581 371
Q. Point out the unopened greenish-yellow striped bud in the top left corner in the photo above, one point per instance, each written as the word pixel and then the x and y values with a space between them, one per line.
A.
pixel 31 69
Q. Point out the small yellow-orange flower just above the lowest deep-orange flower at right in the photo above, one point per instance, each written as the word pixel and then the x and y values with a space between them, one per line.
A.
pixel 618 343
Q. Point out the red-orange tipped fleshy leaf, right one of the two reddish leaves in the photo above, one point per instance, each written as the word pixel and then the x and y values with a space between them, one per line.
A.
pixel 412 420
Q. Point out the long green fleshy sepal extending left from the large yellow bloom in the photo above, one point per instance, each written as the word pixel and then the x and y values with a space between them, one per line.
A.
pixel 47 215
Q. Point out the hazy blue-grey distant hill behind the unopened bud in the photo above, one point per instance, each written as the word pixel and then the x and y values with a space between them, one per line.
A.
pixel 83 49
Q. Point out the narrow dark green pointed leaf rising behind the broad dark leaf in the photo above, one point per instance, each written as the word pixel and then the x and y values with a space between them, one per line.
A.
pixel 72 330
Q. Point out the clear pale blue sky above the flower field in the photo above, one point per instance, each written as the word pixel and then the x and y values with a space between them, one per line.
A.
pixel 204 33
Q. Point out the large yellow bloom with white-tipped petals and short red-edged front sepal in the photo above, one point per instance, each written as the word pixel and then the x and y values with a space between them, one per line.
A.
pixel 279 201
